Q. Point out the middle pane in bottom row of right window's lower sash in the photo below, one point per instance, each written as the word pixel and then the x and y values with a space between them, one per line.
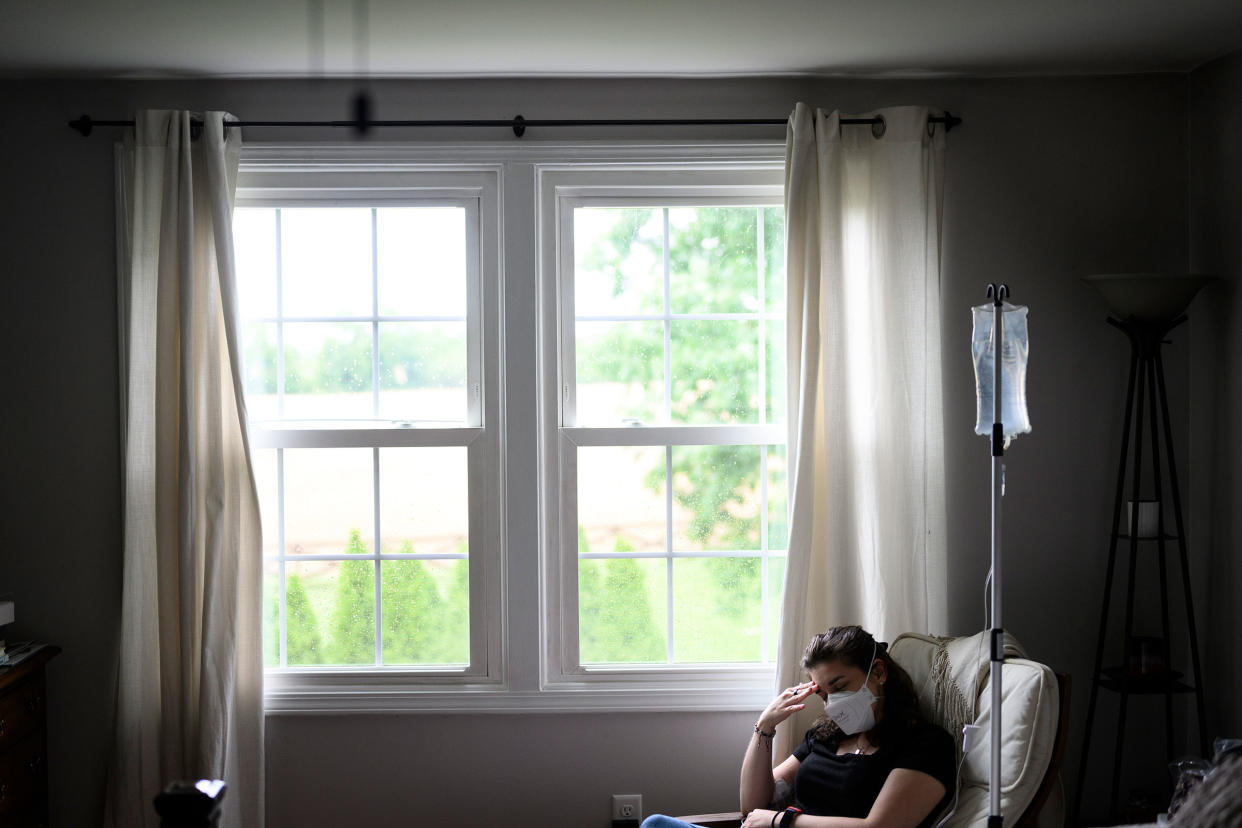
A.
pixel 717 610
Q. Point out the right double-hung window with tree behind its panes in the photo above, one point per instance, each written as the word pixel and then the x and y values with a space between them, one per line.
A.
pixel 665 441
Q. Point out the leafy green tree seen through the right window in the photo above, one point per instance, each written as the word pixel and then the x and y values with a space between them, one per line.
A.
pixel 714 265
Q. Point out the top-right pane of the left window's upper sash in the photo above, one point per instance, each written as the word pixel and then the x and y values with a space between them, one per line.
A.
pixel 422 261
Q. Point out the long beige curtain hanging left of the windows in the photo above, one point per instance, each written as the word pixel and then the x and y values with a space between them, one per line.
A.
pixel 189 688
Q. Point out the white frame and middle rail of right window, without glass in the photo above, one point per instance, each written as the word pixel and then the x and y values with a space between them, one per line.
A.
pixel 561 191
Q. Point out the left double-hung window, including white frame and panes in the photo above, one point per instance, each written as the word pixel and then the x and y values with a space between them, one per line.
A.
pixel 368 311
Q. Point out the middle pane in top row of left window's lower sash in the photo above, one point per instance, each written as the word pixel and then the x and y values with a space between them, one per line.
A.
pixel 329 502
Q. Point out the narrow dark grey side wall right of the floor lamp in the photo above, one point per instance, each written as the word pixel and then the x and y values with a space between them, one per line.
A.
pixel 1217 249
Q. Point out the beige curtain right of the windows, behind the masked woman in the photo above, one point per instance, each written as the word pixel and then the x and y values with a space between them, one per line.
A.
pixel 866 444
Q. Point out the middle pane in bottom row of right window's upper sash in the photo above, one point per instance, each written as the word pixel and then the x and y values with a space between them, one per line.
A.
pixel 716 373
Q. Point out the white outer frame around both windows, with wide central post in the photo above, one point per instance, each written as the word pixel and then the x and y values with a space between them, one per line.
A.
pixel 516 184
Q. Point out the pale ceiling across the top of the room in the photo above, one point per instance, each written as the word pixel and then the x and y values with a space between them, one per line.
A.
pixel 613 38
